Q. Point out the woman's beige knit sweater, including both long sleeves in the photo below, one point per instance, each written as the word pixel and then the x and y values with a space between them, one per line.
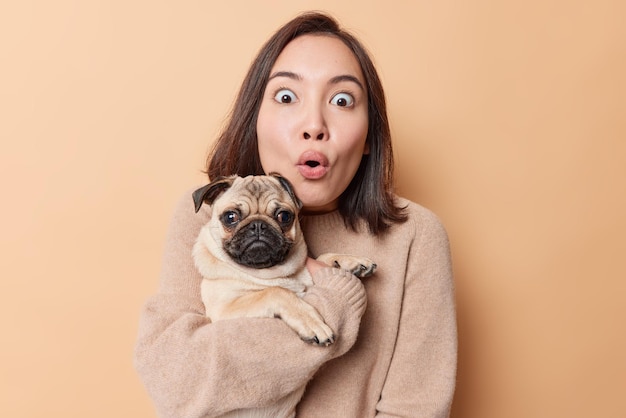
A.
pixel 398 360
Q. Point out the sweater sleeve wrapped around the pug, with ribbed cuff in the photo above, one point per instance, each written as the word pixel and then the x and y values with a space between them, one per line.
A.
pixel 194 368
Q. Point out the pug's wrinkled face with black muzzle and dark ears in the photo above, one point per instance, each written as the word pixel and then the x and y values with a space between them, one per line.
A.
pixel 254 220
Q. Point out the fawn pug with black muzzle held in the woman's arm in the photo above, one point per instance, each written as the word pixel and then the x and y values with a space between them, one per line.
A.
pixel 252 257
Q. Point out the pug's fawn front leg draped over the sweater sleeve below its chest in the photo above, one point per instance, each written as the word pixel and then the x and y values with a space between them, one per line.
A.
pixel 276 302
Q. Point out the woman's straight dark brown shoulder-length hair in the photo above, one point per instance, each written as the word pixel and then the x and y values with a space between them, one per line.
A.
pixel 369 196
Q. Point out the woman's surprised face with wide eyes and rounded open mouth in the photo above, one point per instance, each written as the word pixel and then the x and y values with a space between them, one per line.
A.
pixel 313 120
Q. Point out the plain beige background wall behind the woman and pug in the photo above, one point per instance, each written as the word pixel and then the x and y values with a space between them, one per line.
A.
pixel 509 122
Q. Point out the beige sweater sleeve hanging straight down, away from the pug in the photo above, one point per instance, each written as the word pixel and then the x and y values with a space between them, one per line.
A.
pixel 422 373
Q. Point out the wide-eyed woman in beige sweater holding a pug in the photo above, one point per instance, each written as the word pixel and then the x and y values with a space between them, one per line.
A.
pixel 312 108
